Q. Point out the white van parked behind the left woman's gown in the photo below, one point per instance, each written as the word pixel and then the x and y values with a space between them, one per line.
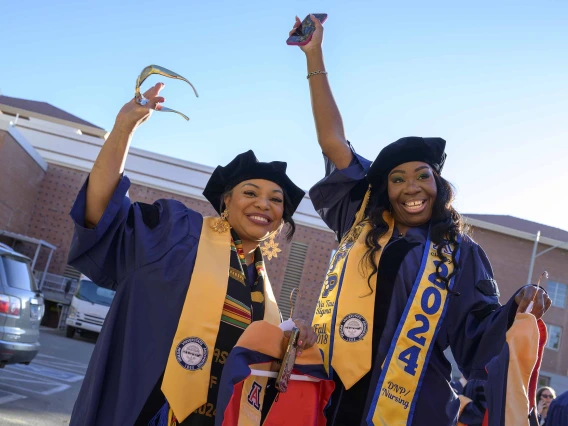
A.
pixel 89 307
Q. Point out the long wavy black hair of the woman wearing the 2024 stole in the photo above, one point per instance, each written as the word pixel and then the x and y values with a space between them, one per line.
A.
pixel 446 226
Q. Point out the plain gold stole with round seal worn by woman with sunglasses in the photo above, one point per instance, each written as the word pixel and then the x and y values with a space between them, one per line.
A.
pixel 187 375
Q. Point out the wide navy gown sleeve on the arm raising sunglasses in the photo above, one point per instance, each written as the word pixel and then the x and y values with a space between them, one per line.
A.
pixel 128 235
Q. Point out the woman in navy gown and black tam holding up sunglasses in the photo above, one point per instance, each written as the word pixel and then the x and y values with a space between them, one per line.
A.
pixel 186 285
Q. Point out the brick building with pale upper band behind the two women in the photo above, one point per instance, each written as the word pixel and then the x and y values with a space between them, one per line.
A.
pixel 46 153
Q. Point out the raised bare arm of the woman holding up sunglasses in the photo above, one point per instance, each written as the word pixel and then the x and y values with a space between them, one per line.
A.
pixel 109 166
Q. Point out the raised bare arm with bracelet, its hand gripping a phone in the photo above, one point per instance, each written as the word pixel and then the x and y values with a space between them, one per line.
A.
pixel 329 125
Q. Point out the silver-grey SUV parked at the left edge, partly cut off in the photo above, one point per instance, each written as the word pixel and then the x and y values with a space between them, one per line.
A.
pixel 21 308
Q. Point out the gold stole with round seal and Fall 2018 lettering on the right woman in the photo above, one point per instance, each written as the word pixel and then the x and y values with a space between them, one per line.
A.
pixel 347 346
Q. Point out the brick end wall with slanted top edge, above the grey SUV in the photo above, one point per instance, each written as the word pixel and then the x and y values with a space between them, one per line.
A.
pixel 20 178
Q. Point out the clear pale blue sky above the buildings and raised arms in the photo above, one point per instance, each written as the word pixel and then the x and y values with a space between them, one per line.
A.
pixel 489 78
